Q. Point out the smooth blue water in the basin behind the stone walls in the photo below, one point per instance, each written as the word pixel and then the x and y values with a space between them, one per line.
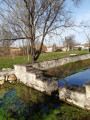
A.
pixel 76 79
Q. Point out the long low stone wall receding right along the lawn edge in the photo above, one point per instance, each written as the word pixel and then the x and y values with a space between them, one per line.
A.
pixel 60 61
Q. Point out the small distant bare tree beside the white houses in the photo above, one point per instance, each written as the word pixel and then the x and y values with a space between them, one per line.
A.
pixel 69 42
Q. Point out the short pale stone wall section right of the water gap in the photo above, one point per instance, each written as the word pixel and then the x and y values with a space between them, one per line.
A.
pixel 76 95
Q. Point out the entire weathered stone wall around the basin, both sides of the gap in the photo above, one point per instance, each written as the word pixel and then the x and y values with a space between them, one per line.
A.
pixel 32 75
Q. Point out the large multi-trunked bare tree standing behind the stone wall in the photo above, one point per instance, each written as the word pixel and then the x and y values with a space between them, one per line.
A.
pixel 33 19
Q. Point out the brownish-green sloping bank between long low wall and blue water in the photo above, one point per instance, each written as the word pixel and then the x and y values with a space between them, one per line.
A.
pixel 68 69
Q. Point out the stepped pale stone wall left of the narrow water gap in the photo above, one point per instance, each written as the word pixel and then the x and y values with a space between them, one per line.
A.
pixel 34 78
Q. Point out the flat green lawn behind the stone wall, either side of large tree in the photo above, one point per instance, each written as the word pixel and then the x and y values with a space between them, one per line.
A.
pixel 6 62
